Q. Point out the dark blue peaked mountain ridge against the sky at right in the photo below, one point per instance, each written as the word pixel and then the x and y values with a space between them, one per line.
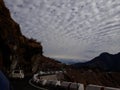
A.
pixel 104 61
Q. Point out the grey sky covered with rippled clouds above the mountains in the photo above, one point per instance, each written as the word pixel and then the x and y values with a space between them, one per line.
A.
pixel 70 29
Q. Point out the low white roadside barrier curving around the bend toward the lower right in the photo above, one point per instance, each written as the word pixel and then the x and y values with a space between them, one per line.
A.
pixel 63 85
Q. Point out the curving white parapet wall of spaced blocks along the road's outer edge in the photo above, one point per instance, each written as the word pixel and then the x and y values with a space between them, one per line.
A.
pixel 67 85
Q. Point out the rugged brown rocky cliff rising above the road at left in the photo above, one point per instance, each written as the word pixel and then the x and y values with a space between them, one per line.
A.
pixel 16 51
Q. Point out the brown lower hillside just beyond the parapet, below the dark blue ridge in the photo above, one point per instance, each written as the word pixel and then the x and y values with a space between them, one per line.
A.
pixel 96 77
